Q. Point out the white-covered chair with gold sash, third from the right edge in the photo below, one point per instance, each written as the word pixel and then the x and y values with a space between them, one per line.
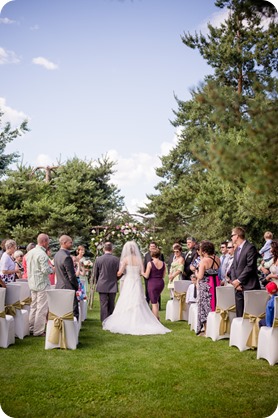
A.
pixel 223 315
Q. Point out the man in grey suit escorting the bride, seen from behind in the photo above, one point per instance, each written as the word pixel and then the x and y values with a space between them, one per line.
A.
pixel 105 274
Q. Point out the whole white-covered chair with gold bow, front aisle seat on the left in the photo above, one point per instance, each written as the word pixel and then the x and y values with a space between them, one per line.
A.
pixel 62 326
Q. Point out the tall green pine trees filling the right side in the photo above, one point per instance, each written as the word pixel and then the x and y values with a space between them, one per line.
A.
pixel 222 171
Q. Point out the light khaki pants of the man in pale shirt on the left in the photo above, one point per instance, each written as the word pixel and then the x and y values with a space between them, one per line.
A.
pixel 38 312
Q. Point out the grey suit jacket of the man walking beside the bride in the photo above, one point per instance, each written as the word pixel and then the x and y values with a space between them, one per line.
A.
pixel 105 271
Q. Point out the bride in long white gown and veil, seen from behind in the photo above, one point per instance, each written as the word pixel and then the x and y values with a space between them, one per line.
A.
pixel 132 314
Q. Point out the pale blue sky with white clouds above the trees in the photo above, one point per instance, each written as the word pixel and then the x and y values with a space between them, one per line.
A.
pixel 98 77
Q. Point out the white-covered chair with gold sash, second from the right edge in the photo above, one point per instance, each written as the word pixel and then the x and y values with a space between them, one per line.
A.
pixel 241 328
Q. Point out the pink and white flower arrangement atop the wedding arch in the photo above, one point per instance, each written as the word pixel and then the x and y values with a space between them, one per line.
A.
pixel 120 234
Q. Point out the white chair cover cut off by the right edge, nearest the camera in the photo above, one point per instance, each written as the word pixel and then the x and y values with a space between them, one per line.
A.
pixel 268 340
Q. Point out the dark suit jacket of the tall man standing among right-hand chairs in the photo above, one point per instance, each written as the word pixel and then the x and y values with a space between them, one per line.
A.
pixel 245 269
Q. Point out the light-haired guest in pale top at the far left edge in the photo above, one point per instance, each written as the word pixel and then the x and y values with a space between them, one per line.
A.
pixel 8 267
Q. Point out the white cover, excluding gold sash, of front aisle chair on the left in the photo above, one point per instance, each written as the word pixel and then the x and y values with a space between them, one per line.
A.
pixel 60 302
